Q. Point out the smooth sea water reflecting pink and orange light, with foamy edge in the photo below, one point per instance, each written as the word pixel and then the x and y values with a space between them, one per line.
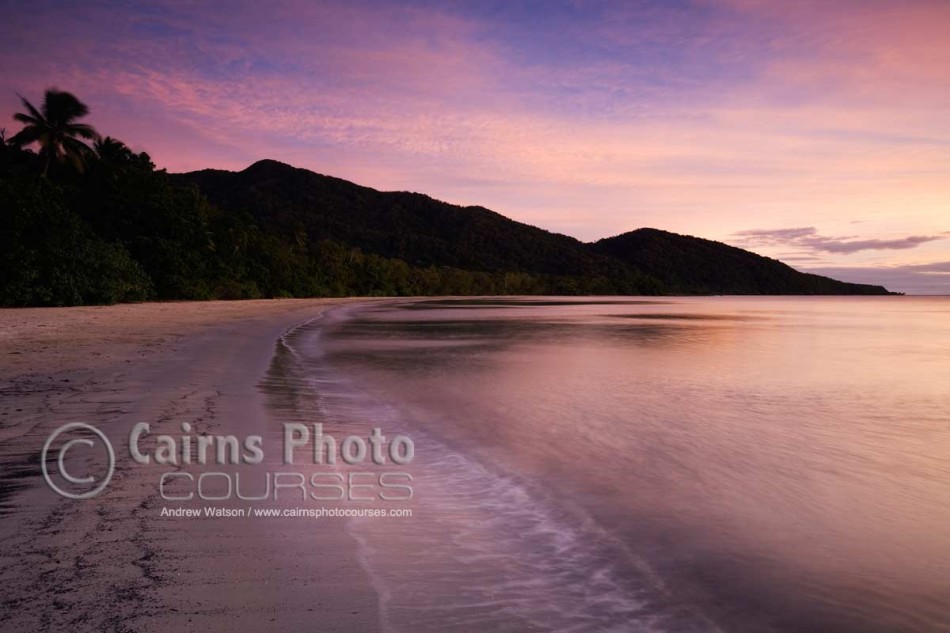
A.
pixel 701 464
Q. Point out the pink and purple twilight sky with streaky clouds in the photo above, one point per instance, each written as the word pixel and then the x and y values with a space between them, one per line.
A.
pixel 814 132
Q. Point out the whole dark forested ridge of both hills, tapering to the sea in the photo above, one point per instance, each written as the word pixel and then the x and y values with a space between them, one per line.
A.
pixel 424 232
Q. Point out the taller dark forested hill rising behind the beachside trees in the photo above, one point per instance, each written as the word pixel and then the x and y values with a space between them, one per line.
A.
pixel 409 226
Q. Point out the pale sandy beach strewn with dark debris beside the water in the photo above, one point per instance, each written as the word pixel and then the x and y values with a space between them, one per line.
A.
pixel 113 563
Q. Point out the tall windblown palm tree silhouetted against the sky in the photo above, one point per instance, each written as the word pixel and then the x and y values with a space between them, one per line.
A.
pixel 56 130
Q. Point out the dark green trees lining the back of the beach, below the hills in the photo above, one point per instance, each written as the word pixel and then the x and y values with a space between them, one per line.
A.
pixel 124 231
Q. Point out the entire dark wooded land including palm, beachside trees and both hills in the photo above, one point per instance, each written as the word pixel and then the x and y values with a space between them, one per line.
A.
pixel 85 220
